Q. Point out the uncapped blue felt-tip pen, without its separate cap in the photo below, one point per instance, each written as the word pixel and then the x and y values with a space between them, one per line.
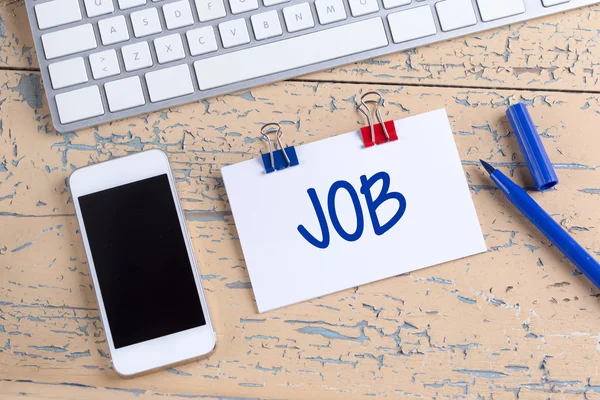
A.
pixel 546 224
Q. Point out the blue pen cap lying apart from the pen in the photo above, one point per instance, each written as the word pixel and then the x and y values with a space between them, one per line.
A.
pixel 531 145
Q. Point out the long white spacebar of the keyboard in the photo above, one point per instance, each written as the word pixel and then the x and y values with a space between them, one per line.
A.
pixel 287 54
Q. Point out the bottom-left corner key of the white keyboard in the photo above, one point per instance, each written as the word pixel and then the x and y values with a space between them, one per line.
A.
pixel 79 104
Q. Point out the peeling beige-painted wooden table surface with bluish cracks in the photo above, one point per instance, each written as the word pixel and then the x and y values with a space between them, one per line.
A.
pixel 515 322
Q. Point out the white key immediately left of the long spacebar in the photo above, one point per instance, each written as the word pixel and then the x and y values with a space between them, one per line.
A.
pixel 169 83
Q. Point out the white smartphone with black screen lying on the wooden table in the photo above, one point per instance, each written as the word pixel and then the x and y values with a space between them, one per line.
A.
pixel 142 264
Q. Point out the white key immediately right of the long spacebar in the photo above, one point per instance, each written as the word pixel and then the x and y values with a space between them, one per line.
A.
pixel 412 24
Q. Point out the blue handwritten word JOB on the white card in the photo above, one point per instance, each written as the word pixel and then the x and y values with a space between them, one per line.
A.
pixel 372 206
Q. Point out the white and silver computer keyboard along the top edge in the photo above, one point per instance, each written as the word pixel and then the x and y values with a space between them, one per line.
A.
pixel 103 60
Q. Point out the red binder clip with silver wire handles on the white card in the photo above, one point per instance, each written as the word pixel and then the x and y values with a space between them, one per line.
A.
pixel 380 133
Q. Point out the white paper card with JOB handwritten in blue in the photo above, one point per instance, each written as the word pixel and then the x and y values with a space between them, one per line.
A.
pixel 292 258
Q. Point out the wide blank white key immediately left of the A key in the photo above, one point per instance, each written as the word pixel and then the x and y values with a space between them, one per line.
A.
pixel 69 41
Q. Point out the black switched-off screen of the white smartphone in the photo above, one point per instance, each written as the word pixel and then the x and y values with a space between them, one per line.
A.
pixel 144 272
